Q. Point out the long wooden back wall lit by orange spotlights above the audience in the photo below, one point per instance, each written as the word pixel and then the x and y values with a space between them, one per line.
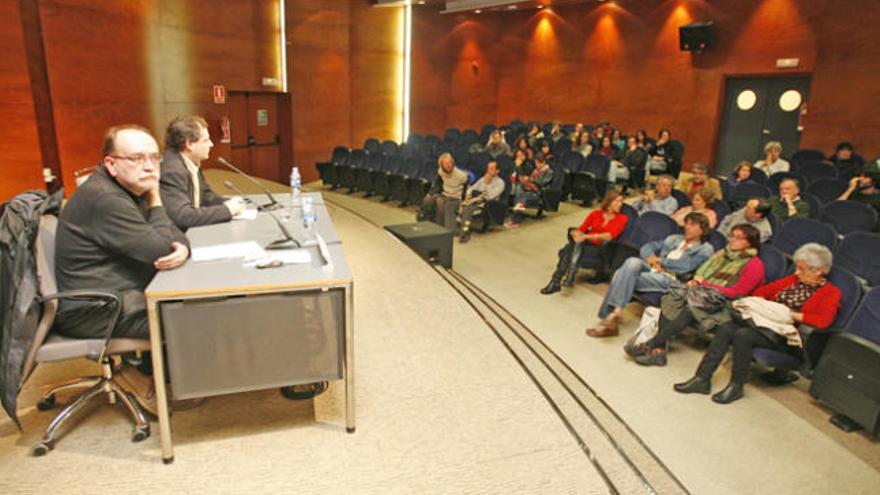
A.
pixel 620 61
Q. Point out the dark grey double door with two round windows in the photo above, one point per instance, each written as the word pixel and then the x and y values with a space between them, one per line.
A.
pixel 758 110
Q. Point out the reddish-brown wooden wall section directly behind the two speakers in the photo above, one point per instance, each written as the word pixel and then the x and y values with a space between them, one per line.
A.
pixel 147 61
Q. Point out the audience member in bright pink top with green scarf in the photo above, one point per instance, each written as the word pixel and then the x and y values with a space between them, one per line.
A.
pixel 732 272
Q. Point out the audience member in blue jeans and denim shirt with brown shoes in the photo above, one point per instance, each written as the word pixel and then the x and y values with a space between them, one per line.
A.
pixel 660 263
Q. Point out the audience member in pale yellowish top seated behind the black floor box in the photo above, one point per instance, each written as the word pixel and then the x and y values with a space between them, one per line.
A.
pixel 444 198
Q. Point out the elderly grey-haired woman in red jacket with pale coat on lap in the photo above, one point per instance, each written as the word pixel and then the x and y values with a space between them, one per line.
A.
pixel 810 299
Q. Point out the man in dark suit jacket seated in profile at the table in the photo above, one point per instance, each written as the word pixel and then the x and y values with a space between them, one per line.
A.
pixel 189 199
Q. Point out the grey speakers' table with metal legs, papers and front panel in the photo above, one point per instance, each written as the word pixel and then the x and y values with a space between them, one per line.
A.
pixel 228 328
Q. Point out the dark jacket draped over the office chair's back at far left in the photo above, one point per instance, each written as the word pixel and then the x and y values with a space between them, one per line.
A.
pixel 19 287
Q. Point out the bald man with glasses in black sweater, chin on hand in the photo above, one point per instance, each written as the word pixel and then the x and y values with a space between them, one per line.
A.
pixel 113 234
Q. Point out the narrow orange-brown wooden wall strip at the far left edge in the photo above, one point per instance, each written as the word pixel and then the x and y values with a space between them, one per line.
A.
pixel 20 165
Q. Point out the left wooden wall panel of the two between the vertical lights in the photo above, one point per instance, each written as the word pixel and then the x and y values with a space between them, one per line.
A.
pixel 320 80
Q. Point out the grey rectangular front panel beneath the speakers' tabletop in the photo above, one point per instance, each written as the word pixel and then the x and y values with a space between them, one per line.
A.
pixel 234 344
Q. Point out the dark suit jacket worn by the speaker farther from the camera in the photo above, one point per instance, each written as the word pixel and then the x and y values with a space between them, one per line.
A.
pixel 176 187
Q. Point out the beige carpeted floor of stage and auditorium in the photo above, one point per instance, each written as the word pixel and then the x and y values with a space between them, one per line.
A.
pixel 444 406
